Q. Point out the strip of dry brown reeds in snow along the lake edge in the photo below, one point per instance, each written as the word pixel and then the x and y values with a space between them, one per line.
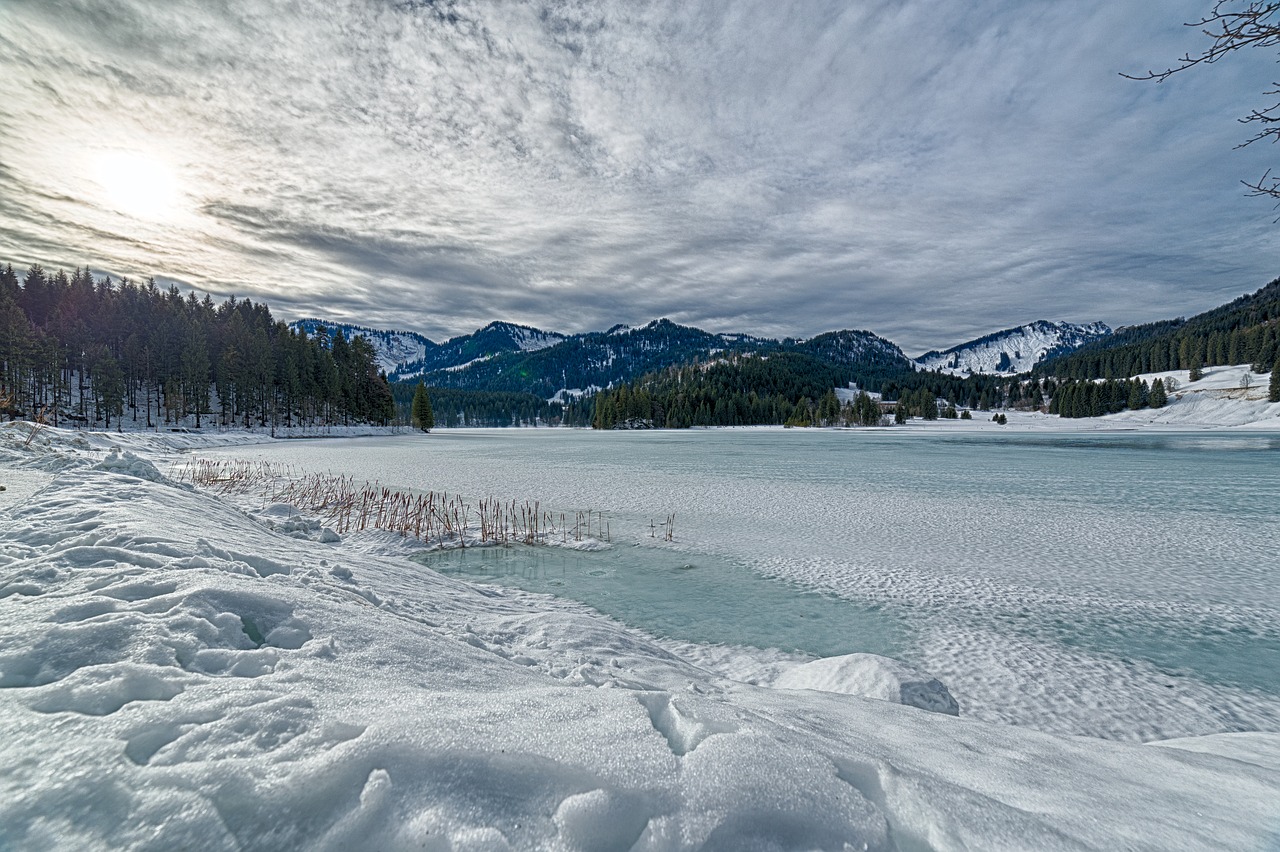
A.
pixel 433 517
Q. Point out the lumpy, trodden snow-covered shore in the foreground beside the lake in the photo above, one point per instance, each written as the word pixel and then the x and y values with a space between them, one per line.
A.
pixel 181 672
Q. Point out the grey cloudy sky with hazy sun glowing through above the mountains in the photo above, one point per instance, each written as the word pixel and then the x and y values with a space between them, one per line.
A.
pixel 927 171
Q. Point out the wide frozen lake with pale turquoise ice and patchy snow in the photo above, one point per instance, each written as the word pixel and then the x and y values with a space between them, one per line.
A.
pixel 1114 585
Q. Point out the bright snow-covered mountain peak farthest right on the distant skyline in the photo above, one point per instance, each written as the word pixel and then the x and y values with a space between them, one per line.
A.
pixel 1013 351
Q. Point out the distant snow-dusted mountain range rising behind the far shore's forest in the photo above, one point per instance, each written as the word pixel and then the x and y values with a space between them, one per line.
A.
pixel 509 358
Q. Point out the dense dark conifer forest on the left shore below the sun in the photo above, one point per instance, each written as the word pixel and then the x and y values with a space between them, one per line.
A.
pixel 77 350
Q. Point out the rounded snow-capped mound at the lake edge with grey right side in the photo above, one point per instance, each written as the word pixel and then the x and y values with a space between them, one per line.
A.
pixel 872 677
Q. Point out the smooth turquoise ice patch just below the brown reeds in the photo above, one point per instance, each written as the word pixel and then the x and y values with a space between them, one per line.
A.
pixel 692 598
